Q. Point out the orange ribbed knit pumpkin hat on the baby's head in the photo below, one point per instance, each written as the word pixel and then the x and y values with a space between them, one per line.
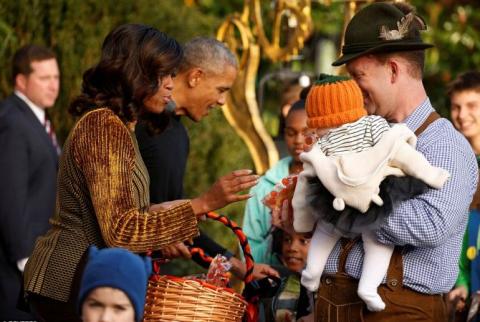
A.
pixel 333 101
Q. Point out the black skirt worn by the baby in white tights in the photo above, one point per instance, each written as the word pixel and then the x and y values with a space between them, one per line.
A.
pixel 350 222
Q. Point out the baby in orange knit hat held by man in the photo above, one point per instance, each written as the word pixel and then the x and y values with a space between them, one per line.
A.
pixel 357 171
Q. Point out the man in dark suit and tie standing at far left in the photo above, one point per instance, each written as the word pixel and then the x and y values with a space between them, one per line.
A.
pixel 28 168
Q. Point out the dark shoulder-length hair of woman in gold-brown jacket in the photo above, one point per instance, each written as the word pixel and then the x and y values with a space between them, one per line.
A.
pixel 134 59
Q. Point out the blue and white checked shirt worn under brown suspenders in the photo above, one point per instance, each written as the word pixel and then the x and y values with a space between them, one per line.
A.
pixel 429 226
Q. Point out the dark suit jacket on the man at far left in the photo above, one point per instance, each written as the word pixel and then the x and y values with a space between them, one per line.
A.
pixel 28 170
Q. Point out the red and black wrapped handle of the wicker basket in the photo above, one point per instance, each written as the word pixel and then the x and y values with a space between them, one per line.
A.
pixel 243 244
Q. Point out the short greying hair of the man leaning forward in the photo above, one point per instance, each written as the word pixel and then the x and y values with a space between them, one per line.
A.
pixel 207 53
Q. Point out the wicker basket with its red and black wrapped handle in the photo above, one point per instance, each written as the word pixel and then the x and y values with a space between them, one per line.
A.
pixel 171 298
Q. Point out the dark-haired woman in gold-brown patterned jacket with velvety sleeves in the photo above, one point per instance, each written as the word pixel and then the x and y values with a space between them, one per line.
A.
pixel 102 196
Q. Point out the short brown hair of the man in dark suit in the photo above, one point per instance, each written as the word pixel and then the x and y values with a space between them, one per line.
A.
pixel 24 57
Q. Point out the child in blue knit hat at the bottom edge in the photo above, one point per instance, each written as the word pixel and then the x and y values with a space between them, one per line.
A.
pixel 114 285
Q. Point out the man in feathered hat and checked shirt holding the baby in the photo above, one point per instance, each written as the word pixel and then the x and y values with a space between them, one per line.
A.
pixel 384 53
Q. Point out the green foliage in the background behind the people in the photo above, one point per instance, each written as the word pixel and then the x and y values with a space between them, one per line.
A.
pixel 75 30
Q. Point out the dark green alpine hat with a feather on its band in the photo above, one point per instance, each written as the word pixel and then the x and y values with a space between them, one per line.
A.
pixel 381 27
